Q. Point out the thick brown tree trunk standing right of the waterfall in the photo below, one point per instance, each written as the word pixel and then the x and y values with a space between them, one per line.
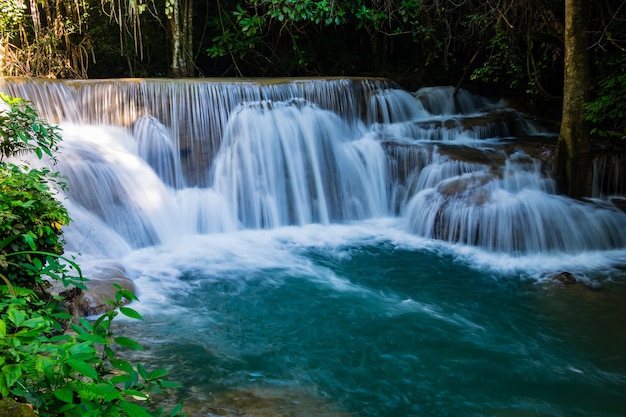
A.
pixel 574 145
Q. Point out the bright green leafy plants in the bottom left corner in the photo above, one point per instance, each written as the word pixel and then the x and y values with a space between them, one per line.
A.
pixel 78 374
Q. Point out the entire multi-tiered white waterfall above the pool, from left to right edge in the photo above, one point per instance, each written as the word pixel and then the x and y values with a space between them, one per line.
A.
pixel 152 161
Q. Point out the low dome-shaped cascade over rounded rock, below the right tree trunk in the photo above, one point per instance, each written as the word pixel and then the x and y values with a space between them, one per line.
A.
pixel 517 212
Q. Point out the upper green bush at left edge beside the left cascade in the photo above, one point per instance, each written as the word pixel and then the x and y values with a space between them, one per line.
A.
pixel 31 217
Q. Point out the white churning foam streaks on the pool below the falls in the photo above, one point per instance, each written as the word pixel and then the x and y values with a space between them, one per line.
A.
pixel 159 271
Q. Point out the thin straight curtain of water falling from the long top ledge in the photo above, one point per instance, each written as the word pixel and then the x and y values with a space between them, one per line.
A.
pixel 194 111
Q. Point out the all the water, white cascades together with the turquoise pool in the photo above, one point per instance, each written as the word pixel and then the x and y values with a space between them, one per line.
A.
pixel 343 247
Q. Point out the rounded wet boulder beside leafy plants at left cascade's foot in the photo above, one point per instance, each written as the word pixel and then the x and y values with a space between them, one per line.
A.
pixel 102 275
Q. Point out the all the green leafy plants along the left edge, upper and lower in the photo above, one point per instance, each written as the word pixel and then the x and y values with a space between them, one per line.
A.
pixel 58 373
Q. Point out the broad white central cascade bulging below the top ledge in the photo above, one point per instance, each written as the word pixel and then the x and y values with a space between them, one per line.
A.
pixel 288 163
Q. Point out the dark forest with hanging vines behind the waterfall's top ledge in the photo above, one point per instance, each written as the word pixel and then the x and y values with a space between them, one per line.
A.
pixel 505 45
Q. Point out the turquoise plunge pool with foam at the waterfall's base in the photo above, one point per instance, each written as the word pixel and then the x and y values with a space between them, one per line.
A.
pixel 333 321
